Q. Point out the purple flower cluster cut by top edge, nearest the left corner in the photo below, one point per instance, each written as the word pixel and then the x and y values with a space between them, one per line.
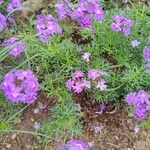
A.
pixel 14 4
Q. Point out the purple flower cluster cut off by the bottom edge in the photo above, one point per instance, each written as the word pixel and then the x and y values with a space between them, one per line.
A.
pixel 77 145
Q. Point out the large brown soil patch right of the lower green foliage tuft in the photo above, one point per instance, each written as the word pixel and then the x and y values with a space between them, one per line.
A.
pixel 111 130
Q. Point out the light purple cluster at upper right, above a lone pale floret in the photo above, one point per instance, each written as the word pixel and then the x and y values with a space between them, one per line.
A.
pixel 122 24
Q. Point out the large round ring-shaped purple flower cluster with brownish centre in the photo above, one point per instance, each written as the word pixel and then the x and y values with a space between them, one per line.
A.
pixel 20 86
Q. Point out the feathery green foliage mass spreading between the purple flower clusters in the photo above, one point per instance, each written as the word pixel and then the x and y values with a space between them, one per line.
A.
pixel 55 61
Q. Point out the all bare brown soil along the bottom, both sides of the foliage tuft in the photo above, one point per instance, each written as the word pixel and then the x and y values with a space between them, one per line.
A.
pixel 116 129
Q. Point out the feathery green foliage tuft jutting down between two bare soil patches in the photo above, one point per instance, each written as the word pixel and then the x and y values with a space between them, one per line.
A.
pixel 64 120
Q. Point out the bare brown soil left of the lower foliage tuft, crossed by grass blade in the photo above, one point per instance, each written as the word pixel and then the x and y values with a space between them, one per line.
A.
pixel 32 116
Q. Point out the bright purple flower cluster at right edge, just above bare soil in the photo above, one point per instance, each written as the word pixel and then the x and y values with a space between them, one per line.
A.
pixel 140 101
